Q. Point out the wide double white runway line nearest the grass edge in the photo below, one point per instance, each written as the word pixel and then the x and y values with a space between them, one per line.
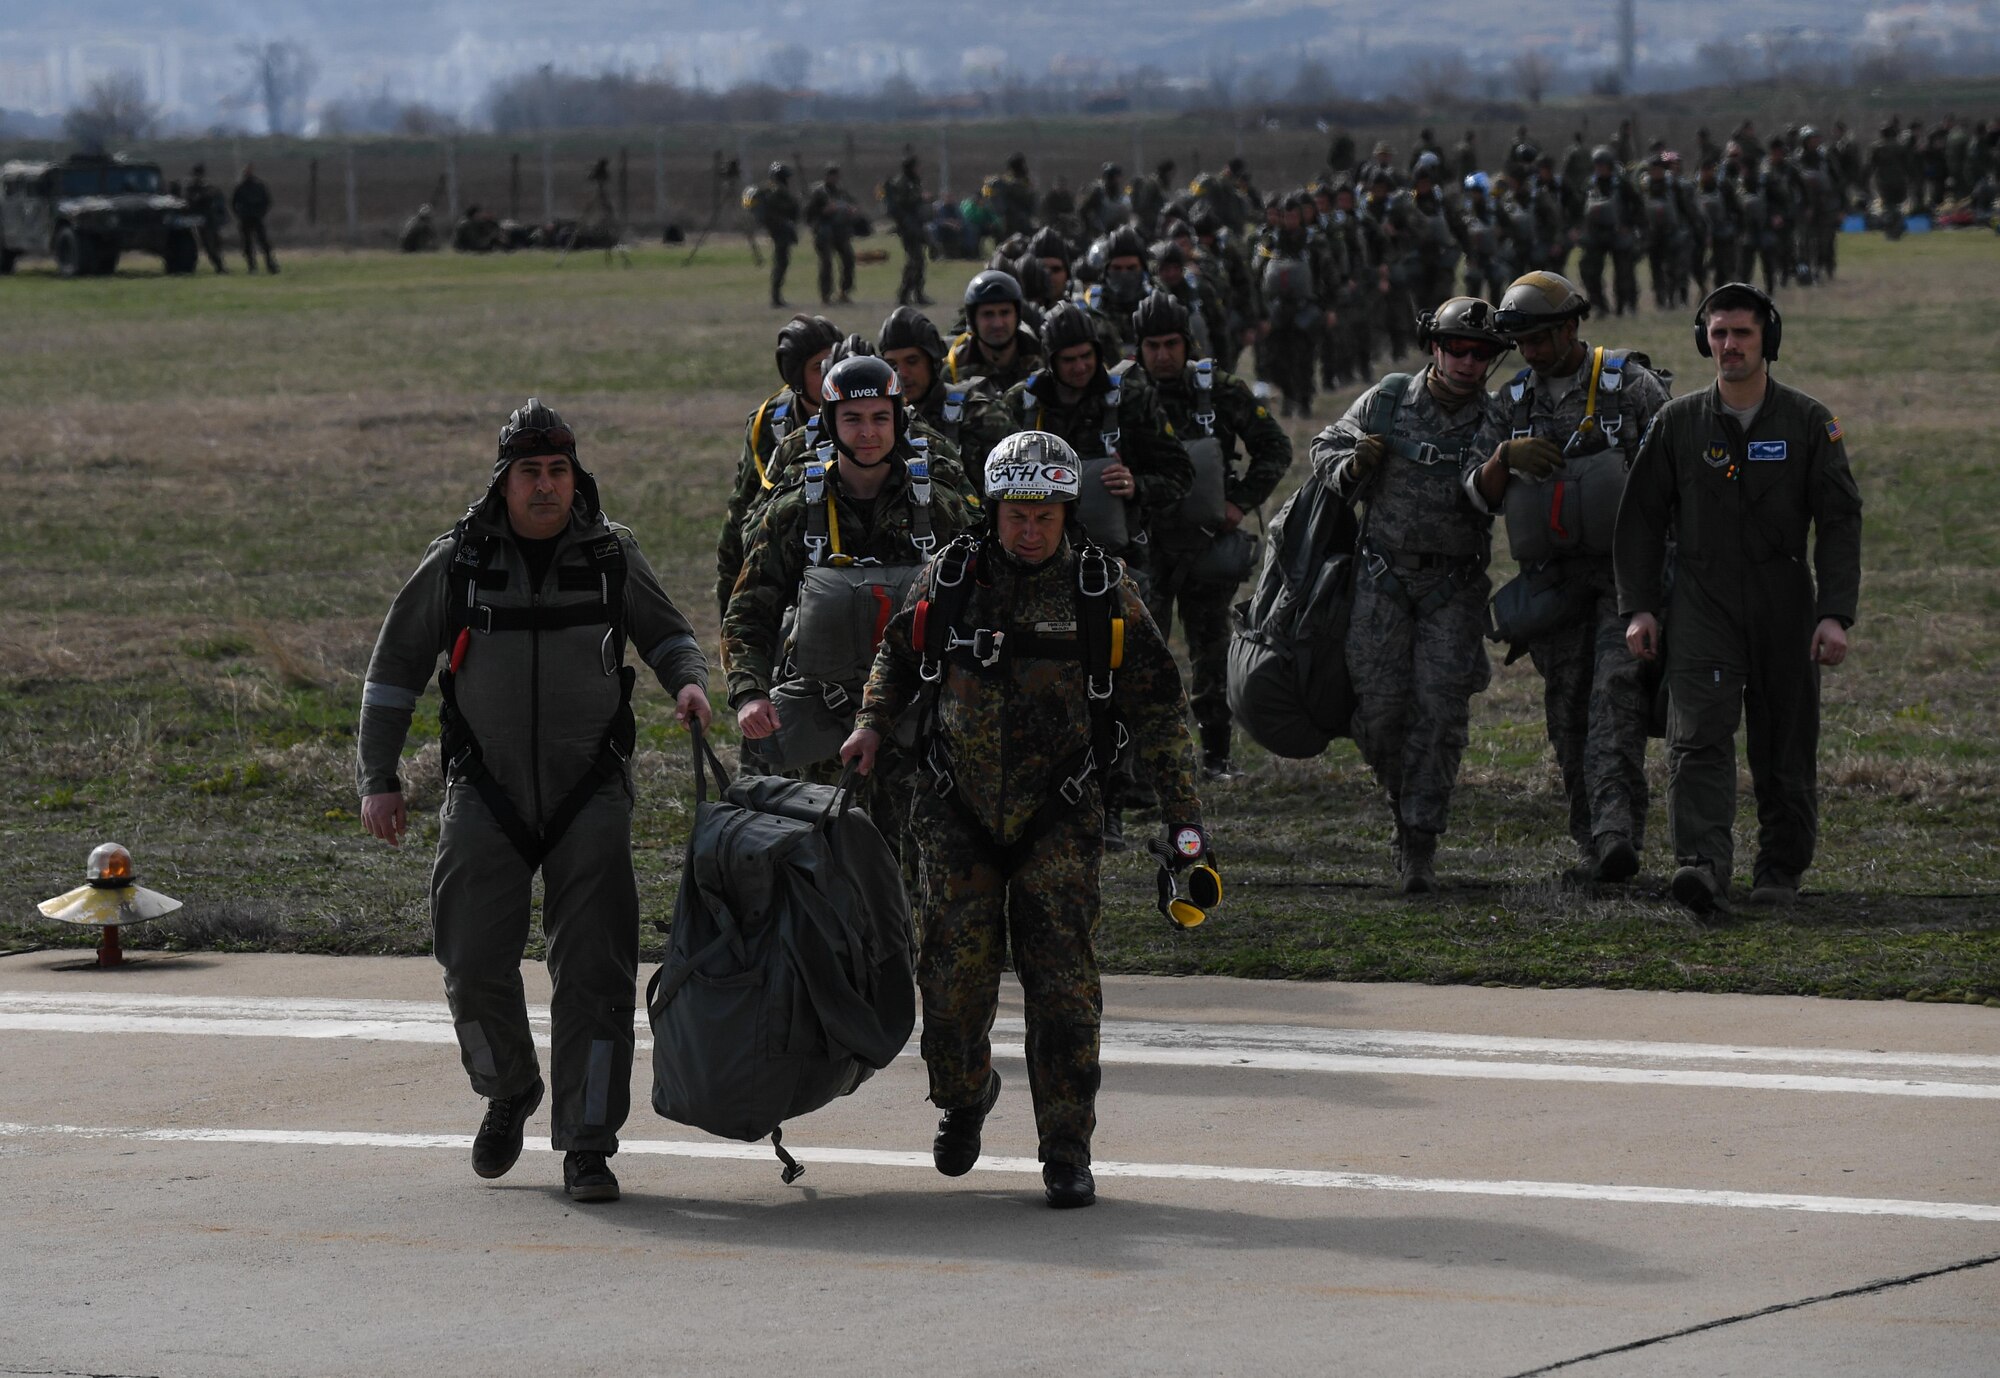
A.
pixel 1127 1043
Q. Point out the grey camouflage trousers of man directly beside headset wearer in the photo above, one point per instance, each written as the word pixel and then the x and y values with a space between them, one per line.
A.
pixel 1597 715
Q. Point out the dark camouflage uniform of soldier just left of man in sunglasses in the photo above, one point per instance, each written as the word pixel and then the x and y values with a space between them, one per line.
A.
pixel 1243 425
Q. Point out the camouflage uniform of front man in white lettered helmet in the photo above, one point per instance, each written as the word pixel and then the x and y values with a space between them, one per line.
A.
pixel 1005 859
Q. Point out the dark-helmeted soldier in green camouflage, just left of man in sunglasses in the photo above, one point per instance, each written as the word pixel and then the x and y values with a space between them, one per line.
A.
pixel 1199 549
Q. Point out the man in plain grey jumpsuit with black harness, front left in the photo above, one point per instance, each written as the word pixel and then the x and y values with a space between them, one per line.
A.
pixel 531 603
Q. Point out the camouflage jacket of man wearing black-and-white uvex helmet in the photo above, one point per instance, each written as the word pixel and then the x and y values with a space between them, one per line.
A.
pixel 777 565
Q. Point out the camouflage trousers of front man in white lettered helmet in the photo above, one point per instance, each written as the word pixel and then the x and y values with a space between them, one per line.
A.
pixel 1043 899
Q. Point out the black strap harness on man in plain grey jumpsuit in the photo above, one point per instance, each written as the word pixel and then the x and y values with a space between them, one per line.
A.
pixel 469 573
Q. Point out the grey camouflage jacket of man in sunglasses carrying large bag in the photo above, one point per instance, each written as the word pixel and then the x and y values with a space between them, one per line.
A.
pixel 1417 499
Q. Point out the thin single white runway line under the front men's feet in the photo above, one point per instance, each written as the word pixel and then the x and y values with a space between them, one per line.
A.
pixel 1135 1171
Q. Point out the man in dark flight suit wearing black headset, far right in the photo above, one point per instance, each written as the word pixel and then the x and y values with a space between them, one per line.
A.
pixel 1739 473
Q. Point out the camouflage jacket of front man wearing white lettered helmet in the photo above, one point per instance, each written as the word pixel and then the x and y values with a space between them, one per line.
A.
pixel 1017 731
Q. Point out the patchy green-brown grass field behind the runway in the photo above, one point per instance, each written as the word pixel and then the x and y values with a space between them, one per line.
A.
pixel 219 485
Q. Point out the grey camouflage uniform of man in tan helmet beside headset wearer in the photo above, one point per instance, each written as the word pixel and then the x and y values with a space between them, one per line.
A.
pixel 1593 699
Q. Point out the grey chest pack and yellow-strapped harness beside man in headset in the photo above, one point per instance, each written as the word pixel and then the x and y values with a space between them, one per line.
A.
pixel 1575 509
